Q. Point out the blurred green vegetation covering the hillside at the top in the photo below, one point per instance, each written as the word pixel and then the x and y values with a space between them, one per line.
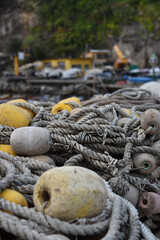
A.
pixel 65 27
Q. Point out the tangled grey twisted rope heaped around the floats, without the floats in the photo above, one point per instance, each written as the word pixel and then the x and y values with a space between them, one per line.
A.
pixel 90 138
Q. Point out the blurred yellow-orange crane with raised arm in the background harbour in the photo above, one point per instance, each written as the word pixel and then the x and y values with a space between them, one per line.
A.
pixel 121 61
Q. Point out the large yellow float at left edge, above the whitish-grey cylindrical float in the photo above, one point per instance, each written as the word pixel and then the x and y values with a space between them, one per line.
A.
pixel 13 116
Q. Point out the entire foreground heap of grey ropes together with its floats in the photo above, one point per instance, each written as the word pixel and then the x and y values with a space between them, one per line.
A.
pixel 81 169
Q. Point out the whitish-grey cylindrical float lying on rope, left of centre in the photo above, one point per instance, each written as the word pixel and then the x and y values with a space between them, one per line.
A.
pixel 29 141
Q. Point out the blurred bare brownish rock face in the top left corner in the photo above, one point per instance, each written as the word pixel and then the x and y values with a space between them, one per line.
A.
pixel 15 21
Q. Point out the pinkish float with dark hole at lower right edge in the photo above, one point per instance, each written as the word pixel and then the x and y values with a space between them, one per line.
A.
pixel 149 203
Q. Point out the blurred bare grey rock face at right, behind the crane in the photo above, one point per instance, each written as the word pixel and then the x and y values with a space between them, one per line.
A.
pixel 138 45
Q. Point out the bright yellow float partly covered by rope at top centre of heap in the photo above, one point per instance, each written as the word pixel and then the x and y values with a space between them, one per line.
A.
pixel 63 105
